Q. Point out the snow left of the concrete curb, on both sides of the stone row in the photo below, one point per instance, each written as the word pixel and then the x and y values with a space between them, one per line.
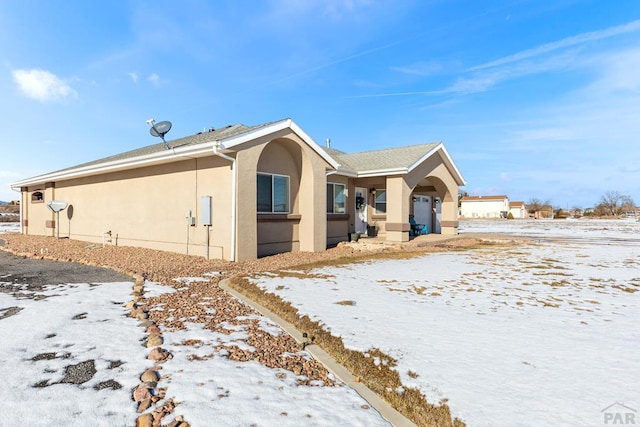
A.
pixel 43 332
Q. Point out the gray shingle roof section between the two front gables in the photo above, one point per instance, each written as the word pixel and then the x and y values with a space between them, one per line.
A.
pixel 390 158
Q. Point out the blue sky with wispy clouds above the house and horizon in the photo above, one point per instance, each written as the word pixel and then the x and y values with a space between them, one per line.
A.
pixel 533 99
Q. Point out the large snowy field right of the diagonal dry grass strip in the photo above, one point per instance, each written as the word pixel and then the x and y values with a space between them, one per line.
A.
pixel 544 333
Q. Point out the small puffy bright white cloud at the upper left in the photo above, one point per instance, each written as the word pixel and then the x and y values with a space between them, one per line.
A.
pixel 42 85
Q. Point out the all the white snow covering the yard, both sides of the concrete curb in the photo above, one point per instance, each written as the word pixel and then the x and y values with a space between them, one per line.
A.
pixel 543 333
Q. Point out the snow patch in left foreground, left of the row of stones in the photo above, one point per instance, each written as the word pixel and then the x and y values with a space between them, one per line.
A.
pixel 69 355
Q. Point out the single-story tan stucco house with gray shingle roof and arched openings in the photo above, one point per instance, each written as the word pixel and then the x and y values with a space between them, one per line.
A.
pixel 242 192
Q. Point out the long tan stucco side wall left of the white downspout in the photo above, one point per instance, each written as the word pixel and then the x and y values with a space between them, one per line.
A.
pixel 147 207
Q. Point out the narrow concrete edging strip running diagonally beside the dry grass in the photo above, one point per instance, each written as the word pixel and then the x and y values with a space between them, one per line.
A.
pixel 387 412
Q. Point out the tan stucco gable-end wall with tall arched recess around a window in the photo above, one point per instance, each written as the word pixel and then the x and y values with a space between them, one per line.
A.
pixel 280 183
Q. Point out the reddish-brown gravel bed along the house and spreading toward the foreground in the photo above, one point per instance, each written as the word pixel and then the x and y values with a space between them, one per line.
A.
pixel 206 303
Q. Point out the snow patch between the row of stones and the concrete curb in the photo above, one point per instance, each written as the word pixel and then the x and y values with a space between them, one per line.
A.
pixel 216 391
